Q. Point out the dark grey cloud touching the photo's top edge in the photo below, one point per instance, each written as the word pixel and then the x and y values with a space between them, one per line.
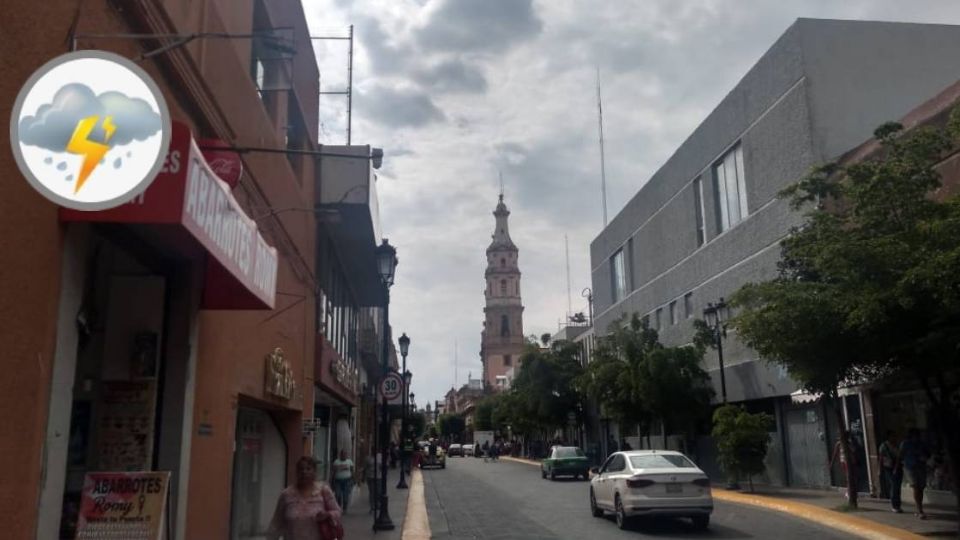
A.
pixel 480 25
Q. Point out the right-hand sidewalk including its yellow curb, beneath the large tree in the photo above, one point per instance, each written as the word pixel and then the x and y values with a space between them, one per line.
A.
pixel 873 518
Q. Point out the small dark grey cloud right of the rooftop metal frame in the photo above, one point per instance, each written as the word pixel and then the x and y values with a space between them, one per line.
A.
pixel 397 108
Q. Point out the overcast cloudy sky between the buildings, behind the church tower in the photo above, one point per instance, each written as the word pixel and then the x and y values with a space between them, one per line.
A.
pixel 457 91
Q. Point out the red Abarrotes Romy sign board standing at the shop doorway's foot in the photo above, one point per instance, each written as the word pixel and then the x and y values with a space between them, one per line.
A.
pixel 123 505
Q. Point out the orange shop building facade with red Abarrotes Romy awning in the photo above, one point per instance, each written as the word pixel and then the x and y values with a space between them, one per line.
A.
pixel 142 338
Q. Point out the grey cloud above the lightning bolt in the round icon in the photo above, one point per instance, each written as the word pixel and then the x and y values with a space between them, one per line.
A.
pixel 54 123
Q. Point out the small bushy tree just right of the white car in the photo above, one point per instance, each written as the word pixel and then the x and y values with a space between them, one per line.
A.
pixel 742 440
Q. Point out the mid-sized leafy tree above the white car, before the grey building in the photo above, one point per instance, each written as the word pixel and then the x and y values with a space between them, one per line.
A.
pixel 637 380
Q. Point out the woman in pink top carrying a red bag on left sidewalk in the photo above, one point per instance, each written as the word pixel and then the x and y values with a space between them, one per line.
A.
pixel 302 507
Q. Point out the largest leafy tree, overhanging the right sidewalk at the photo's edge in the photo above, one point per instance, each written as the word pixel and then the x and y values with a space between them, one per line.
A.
pixel 869 285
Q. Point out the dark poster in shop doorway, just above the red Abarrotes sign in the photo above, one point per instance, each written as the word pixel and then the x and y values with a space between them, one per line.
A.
pixel 125 425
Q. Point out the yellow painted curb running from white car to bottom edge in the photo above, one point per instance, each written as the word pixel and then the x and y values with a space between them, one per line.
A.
pixel 863 528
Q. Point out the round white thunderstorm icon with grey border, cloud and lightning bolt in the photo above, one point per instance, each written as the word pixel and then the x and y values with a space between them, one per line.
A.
pixel 90 130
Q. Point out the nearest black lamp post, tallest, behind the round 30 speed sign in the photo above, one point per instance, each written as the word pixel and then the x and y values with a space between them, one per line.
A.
pixel 386 266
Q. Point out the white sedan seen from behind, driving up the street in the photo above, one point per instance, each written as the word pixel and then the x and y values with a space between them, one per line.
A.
pixel 651 483
